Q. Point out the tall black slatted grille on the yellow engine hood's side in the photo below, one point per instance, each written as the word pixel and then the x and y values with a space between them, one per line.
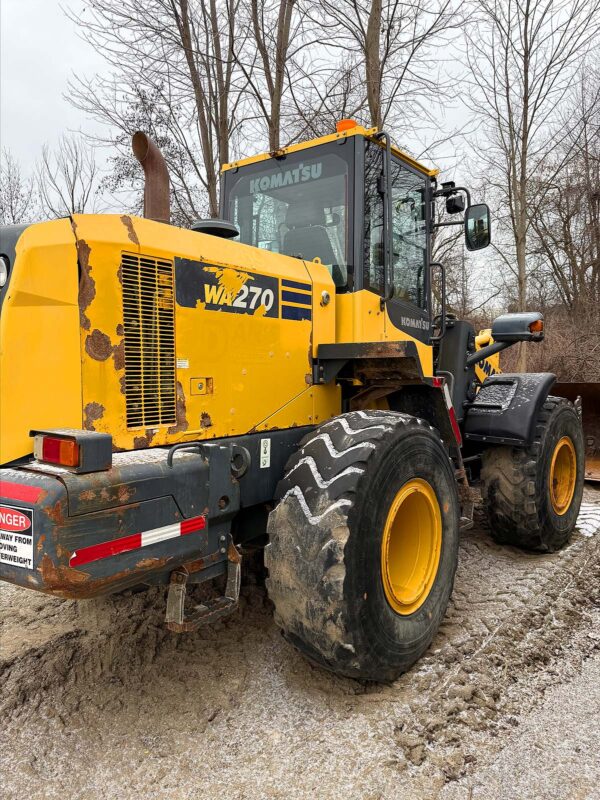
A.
pixel 149 327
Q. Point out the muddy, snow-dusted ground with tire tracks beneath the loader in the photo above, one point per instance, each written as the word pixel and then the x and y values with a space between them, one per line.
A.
pixel 100 701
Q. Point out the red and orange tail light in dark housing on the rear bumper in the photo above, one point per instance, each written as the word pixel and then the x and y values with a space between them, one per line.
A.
pixel 77 451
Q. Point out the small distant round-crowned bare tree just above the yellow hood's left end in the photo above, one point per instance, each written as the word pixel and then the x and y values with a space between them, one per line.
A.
pixel 67 178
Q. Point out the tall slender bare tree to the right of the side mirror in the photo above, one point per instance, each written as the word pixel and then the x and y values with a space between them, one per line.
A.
pixel 522 56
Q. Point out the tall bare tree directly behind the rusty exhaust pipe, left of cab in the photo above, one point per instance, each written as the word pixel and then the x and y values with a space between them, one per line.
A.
pixel 179 53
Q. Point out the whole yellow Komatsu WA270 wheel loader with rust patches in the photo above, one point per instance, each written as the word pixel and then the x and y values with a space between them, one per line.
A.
pixel 283 377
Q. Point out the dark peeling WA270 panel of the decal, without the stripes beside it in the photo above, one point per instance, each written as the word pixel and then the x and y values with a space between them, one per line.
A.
pixel 225 289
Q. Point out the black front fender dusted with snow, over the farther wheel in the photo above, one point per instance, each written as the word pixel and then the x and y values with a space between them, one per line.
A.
pixel 506 408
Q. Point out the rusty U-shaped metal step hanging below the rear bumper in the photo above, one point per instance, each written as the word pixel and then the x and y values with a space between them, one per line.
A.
pixel 210 611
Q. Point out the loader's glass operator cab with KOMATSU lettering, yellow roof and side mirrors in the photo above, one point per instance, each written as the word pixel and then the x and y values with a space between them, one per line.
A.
pixel 330 200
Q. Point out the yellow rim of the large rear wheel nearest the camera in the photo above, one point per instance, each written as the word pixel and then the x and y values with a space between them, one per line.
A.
pixel 411 545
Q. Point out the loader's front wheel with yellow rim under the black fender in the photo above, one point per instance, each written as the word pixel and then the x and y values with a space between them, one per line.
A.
pixel 532 494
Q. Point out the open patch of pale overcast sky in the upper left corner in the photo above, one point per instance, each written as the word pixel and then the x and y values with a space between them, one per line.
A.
pixel 40 49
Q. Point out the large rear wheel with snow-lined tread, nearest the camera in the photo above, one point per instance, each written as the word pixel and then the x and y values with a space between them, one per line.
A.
pixel 366 493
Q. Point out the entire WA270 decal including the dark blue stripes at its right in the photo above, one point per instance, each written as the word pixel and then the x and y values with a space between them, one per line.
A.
pixel 240 292
